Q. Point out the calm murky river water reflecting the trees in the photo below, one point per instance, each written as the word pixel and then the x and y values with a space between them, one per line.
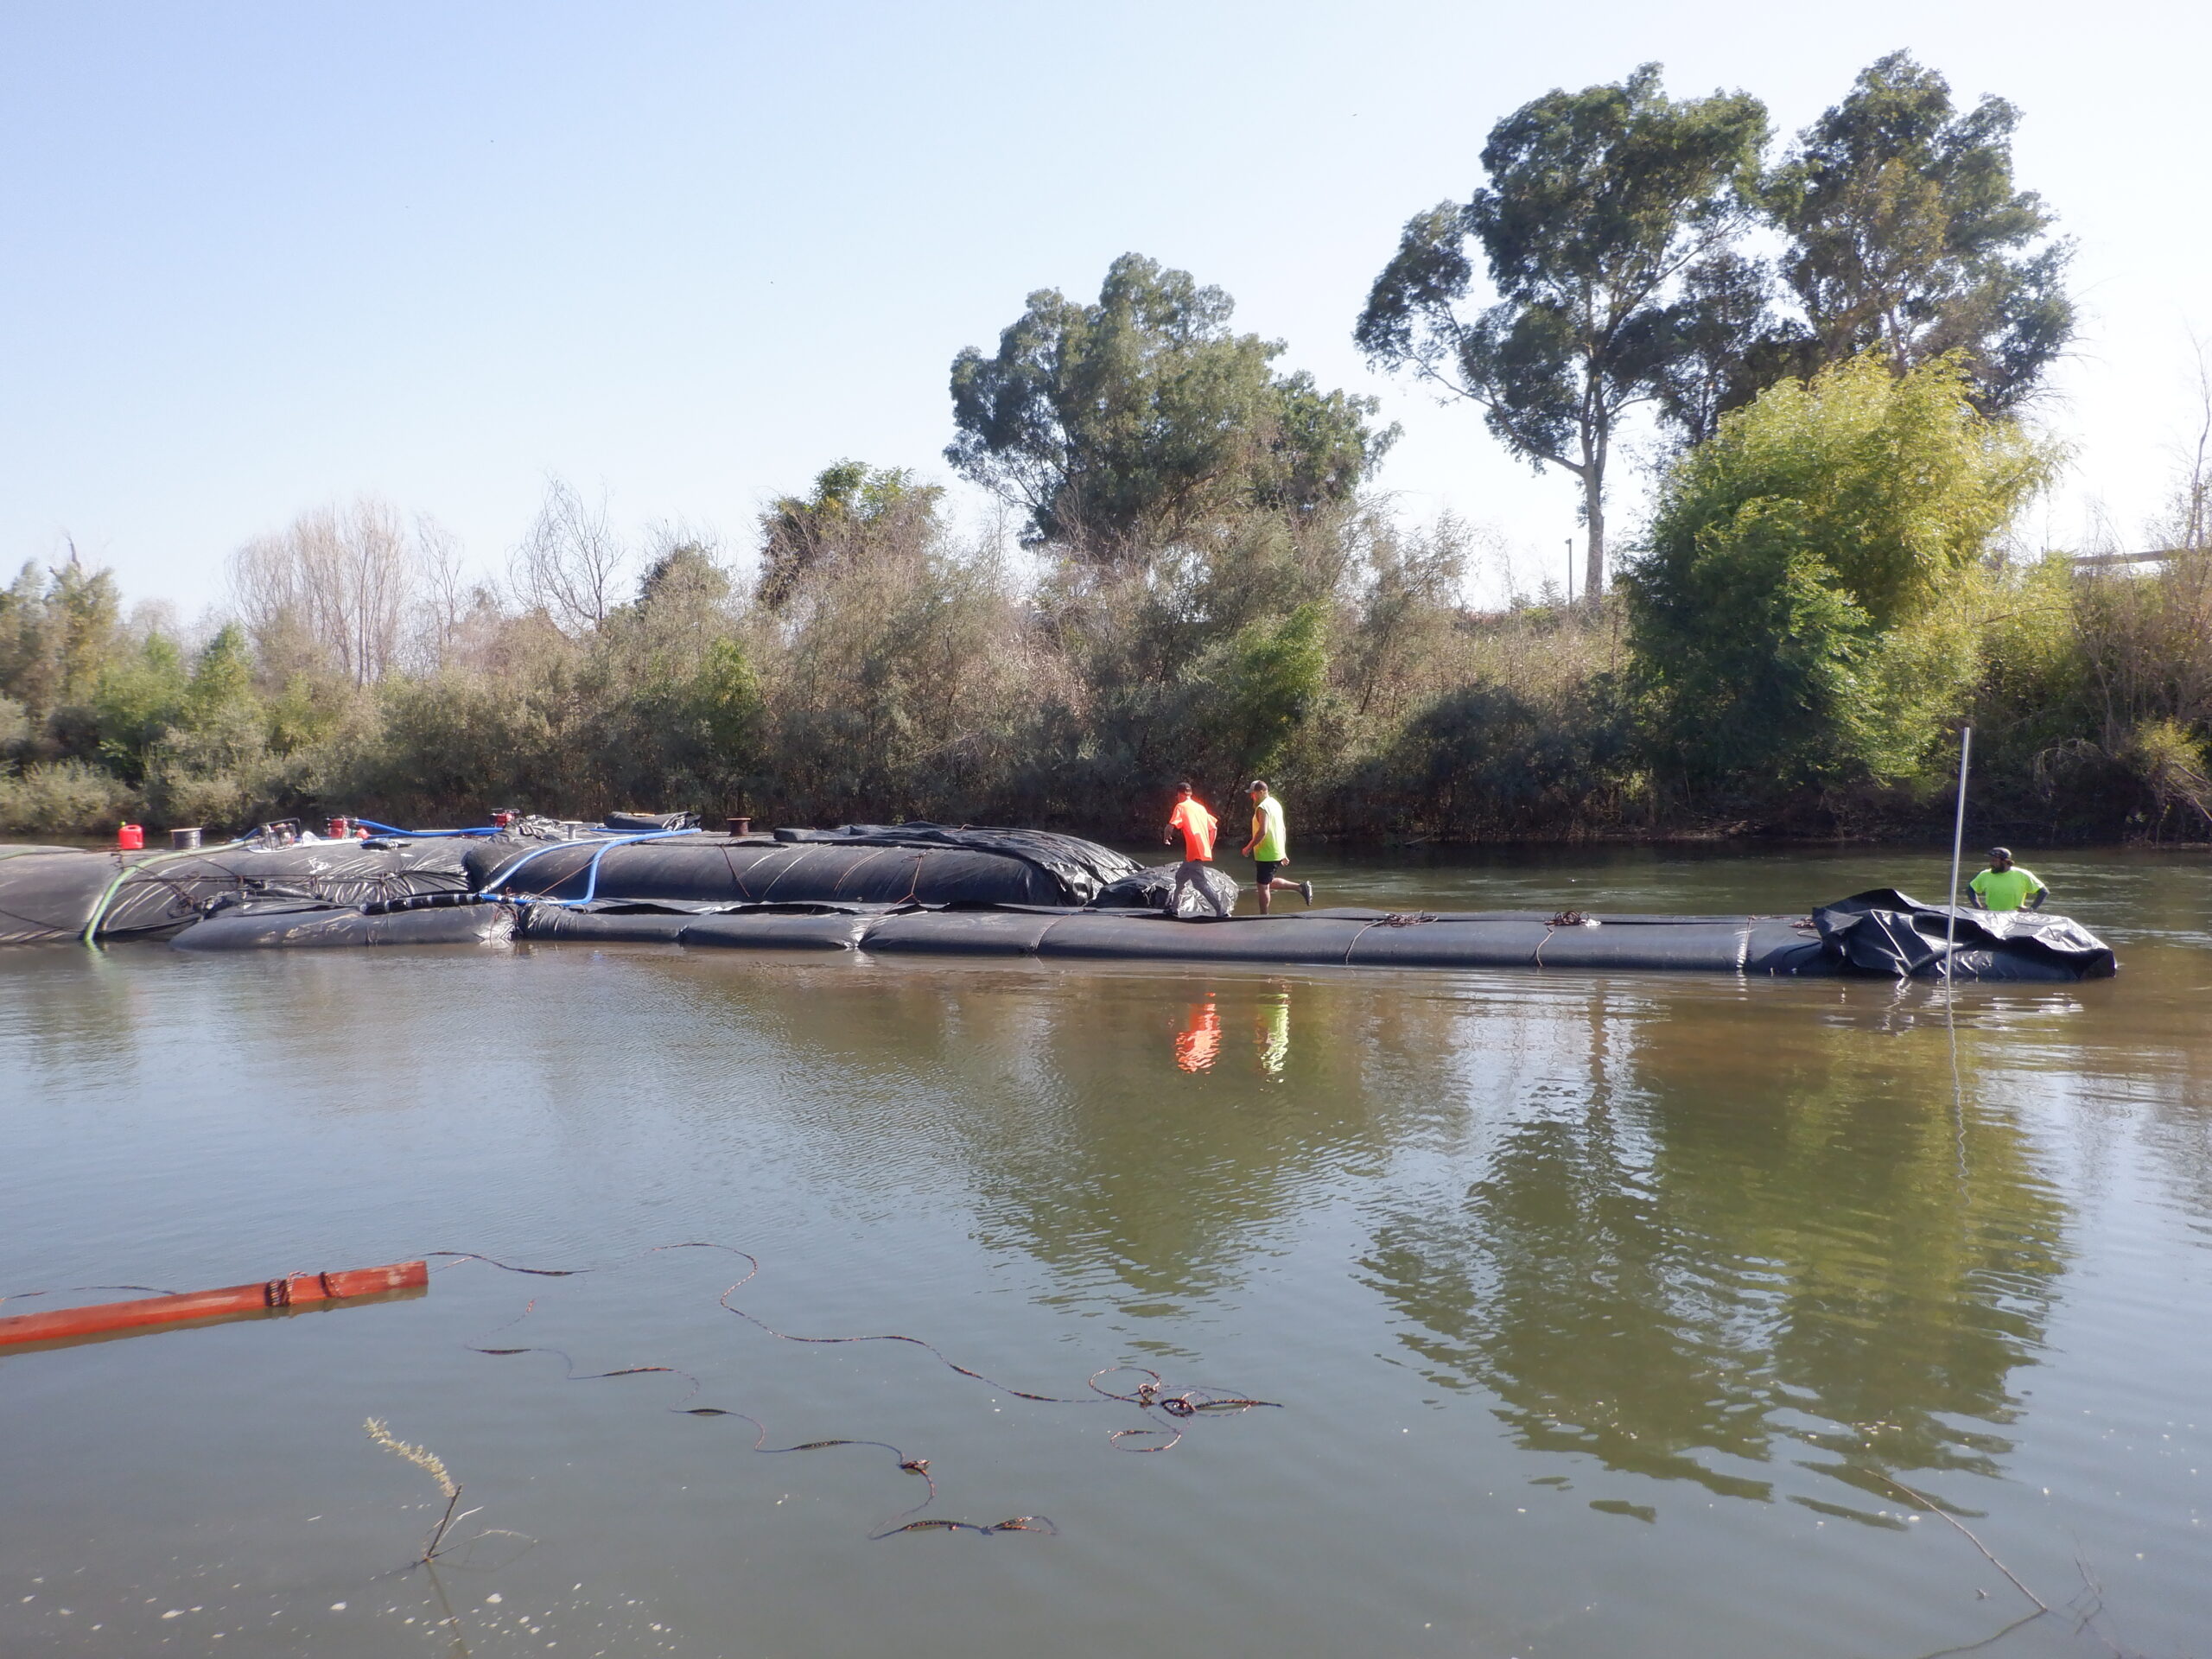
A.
pixel 1598 1317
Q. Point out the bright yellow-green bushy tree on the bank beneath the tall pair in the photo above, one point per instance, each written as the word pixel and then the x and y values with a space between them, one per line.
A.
pixel 1799 614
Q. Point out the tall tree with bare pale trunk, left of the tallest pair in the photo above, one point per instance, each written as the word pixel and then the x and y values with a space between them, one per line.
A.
pixel 1598 205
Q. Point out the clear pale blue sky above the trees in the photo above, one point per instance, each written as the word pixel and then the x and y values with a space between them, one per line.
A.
pixel 262 260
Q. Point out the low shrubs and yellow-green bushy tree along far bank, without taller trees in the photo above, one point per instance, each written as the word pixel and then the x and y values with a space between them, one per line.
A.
pixel 1819 607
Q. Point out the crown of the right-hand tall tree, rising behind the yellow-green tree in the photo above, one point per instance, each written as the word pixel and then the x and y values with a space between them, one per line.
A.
pixel 1908 236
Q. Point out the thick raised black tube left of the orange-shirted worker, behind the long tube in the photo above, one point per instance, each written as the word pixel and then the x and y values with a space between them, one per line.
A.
pixel 724 870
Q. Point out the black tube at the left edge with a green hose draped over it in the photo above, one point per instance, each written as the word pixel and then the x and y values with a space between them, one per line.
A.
pixel 56 895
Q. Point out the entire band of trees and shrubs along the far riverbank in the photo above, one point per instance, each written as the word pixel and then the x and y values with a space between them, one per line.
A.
pixel 1196 581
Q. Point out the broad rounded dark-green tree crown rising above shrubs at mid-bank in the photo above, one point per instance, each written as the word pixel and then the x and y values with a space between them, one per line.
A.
pixel 1142 419
